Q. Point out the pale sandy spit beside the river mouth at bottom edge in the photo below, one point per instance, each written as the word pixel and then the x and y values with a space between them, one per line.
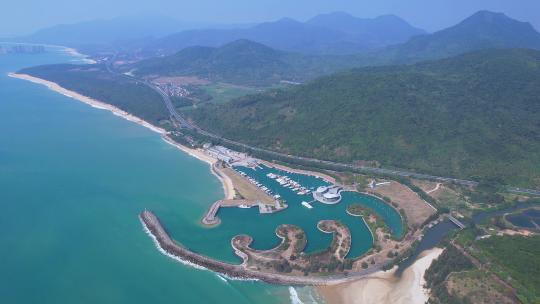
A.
pixel 384 287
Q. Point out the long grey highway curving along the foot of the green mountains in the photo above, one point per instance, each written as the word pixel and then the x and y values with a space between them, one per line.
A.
pixel 184 123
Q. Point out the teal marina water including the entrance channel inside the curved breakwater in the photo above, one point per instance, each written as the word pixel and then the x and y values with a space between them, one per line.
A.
pixel 261 227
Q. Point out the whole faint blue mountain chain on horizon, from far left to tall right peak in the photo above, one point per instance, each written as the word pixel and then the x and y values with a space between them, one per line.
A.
pixel 335 33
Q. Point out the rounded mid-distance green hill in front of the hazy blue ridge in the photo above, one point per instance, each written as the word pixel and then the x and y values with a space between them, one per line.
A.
pixel 242 62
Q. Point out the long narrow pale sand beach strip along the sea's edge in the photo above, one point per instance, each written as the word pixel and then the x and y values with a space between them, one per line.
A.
pixel 228 186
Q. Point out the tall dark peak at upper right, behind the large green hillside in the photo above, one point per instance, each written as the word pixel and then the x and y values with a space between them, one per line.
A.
pixel 482 30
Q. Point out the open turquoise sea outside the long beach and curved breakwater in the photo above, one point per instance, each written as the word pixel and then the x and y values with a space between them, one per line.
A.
pixel 72 182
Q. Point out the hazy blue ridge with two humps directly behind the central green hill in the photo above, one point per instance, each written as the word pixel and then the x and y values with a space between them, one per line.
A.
pixel 336 33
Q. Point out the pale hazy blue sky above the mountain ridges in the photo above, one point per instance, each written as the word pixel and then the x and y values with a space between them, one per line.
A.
pixel 23 16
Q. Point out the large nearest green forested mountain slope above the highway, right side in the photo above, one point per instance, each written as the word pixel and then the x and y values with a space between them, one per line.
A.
pixel 476 115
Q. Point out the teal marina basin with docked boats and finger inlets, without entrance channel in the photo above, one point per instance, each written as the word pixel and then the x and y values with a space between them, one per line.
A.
pixel 307 219
